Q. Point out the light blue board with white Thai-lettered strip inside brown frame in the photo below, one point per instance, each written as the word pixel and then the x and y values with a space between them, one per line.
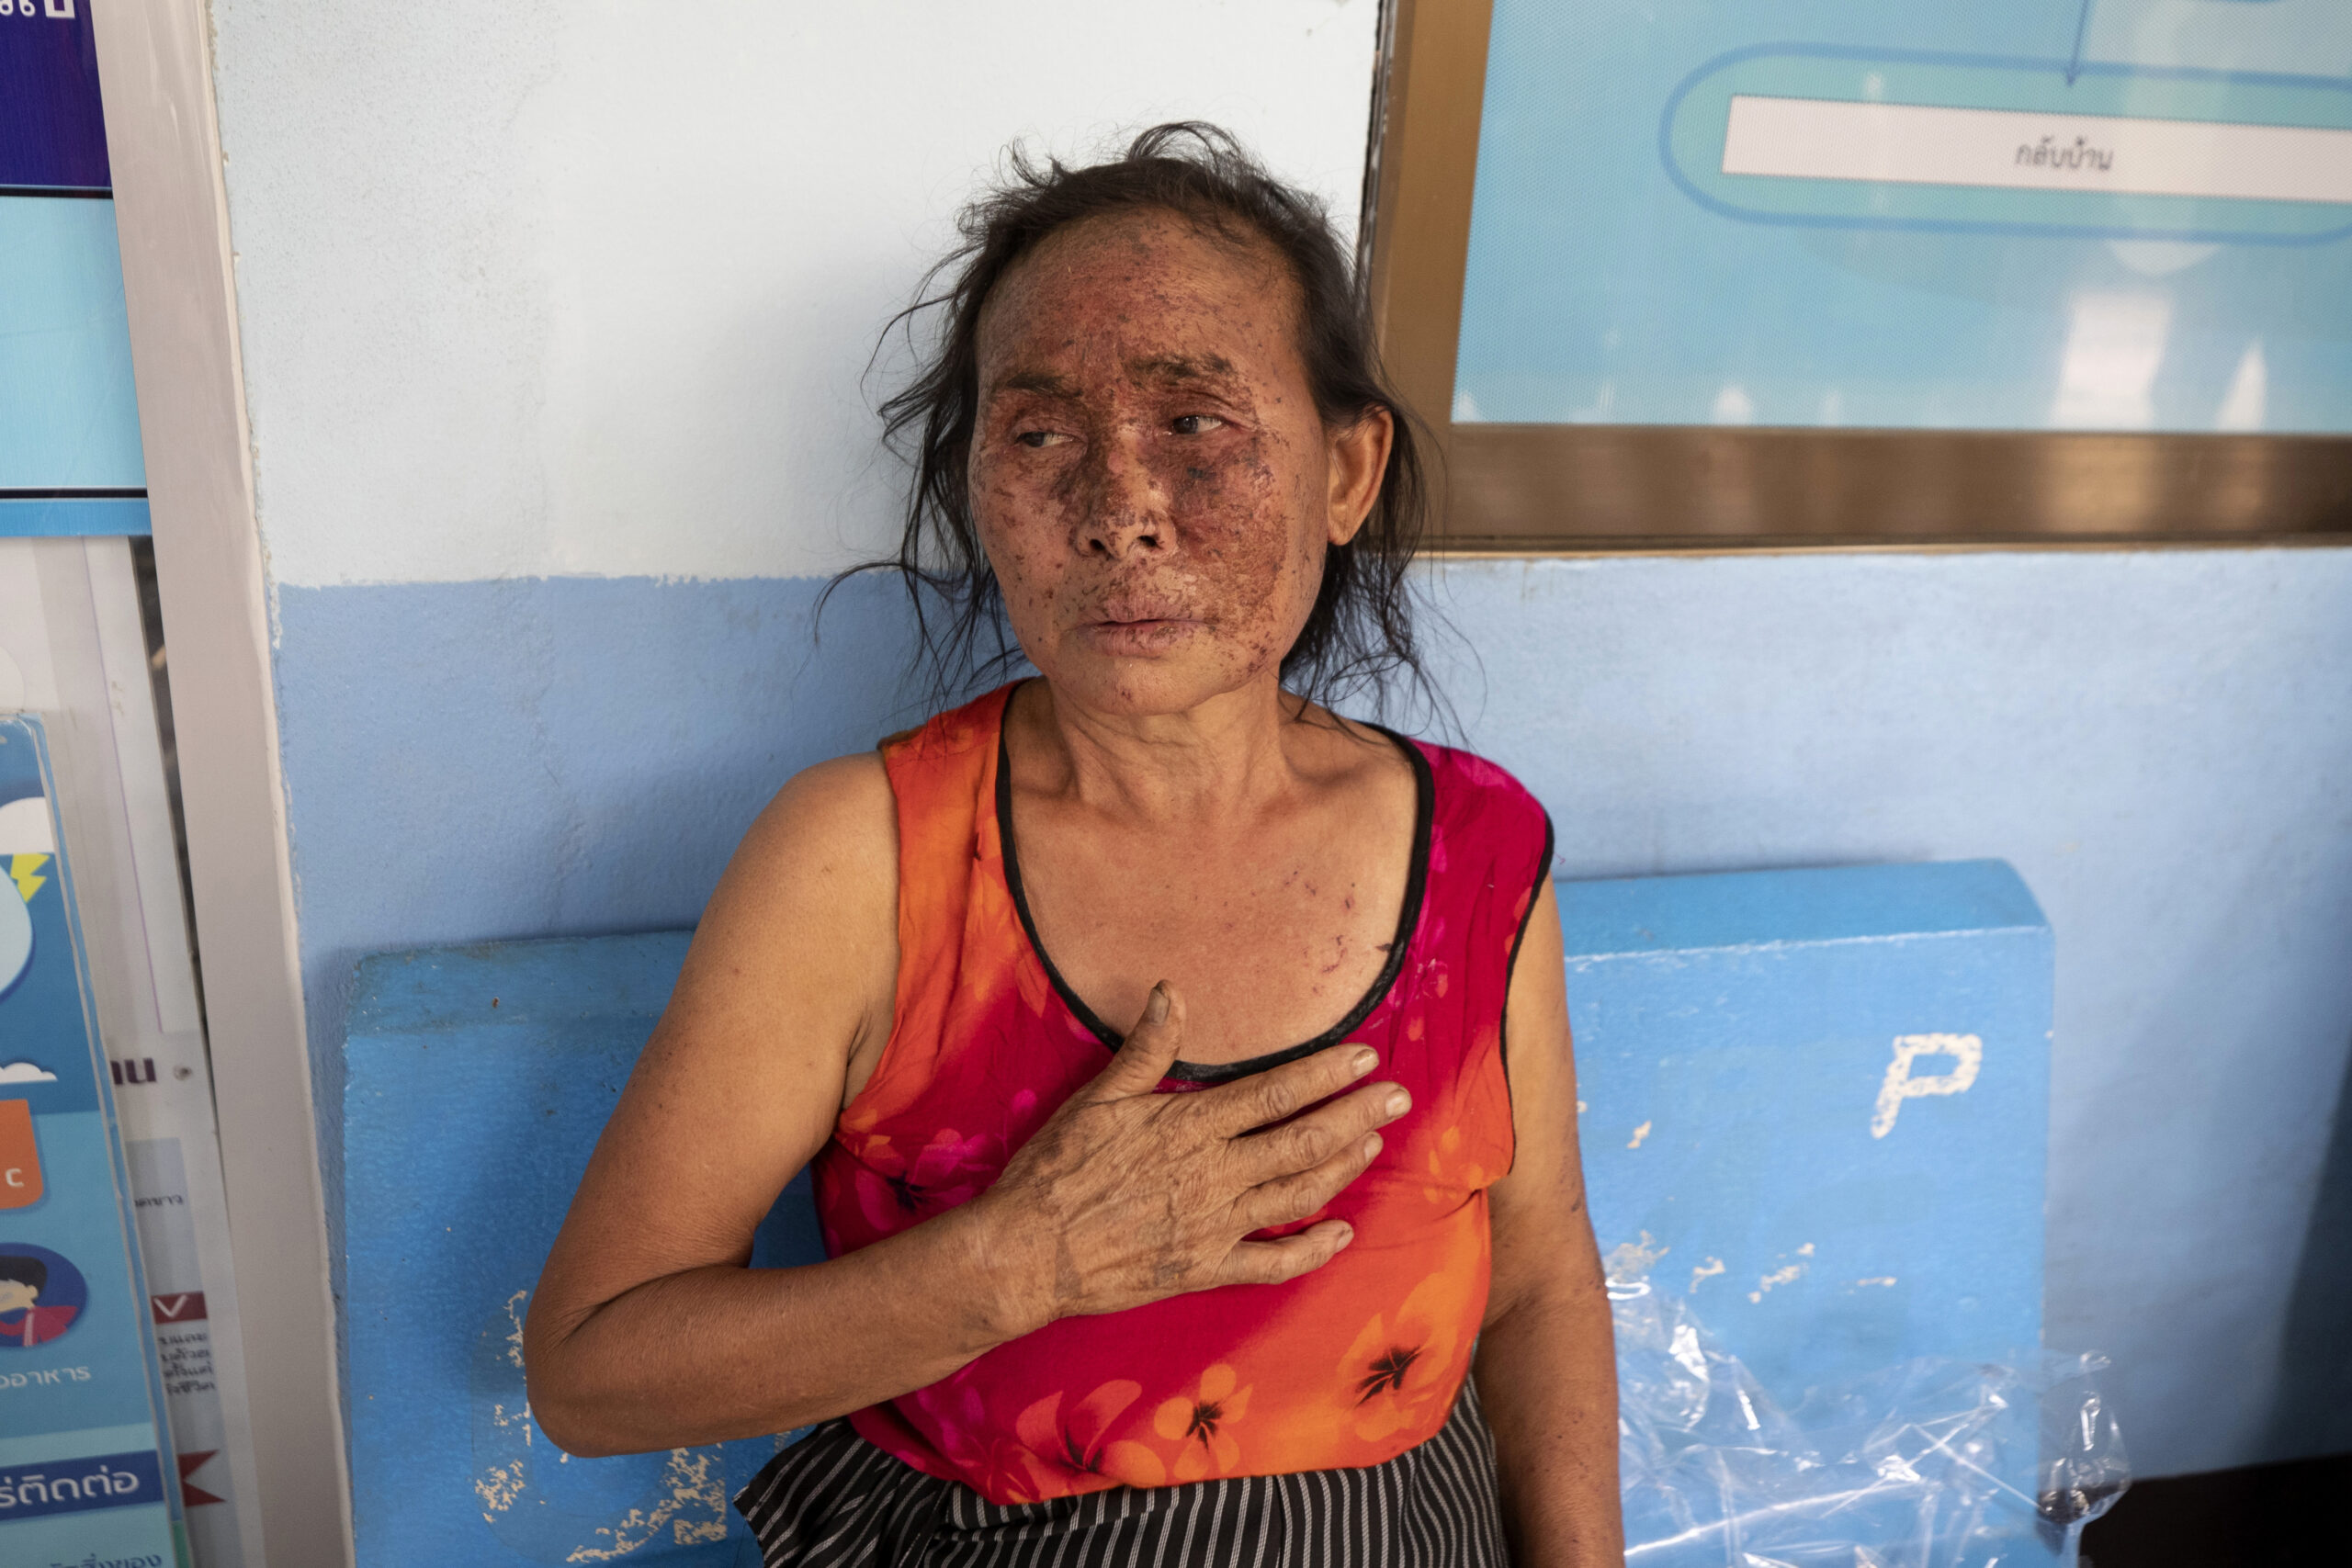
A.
pixel 2012 215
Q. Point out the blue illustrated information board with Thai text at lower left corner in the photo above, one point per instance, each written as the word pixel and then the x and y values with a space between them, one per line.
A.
pixel 86 1466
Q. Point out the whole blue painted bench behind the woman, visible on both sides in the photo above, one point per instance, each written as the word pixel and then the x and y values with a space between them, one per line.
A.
pixel 1812 1101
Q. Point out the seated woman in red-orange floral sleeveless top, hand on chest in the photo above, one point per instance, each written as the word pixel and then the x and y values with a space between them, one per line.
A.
pixel 1194 1294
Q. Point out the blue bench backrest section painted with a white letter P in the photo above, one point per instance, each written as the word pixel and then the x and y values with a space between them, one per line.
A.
pixel 1817 1106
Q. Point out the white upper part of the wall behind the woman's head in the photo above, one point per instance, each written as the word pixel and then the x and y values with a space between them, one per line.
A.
pixel 552 288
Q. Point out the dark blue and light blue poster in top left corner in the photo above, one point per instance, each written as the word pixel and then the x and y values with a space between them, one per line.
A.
pixel 69 415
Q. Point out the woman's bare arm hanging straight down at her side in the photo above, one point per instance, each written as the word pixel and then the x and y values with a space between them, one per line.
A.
pixel 1546 1365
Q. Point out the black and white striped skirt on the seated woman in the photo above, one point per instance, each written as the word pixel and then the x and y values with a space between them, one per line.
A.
pixel 836 1501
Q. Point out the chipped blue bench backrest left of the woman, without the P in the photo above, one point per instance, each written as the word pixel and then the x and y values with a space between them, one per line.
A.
pixel 479 1083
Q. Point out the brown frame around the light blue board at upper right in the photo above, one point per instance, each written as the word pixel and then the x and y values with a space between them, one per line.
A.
pixel 1645 488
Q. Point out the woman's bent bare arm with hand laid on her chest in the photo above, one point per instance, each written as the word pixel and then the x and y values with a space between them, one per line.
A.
pixel 650 1332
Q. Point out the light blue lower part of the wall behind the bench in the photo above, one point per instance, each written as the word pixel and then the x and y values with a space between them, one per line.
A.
pixel 2158 742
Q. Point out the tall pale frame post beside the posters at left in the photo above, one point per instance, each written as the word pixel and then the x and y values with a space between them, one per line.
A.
pixel 180 290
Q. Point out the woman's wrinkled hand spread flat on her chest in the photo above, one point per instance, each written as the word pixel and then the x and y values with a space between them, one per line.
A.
pixel 1128 1195
